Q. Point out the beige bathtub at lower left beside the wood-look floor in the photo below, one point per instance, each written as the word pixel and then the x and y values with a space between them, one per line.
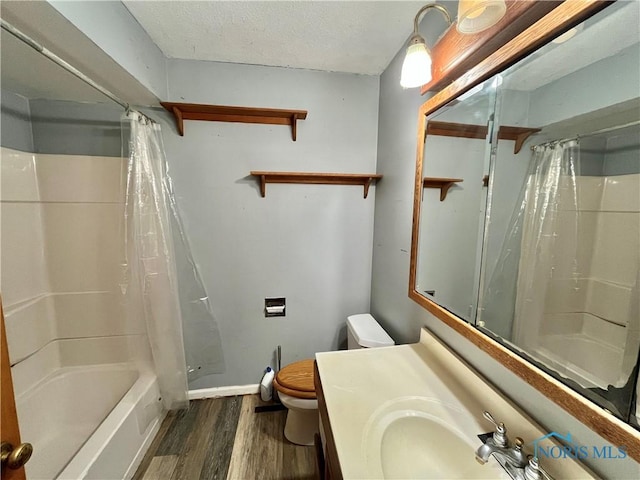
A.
pixel 87 421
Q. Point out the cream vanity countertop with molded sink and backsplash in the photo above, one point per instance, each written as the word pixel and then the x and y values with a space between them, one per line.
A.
pixel 415 411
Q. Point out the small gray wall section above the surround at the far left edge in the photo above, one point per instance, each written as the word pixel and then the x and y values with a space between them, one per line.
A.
pixel 15 122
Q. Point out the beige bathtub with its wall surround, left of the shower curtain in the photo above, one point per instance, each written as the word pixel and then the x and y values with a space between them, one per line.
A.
pixel 70 347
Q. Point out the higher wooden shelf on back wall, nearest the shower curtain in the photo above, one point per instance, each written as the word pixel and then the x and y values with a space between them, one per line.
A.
pixel 220 113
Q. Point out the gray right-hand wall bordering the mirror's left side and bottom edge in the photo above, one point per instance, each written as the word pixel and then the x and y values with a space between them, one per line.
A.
pixel 392 241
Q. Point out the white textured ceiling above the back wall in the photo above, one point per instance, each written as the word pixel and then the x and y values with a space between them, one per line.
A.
pixel 341 36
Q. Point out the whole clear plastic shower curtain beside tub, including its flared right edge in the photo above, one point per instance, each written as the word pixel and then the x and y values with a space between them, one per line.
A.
pixel 160 279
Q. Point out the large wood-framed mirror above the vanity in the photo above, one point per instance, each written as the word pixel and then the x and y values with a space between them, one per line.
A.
pixel 552 242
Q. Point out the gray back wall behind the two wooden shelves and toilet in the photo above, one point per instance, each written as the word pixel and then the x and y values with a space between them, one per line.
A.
pixel 309 243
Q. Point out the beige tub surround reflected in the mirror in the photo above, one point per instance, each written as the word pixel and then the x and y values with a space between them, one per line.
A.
pixel 584 326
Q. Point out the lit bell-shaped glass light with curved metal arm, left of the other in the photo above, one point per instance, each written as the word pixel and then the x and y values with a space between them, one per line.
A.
pixel 416 69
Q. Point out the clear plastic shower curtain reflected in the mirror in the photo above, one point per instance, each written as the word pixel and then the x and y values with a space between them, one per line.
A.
pixel 532 261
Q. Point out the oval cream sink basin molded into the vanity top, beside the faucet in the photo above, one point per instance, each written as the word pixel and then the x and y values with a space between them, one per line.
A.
pixel 421 438
